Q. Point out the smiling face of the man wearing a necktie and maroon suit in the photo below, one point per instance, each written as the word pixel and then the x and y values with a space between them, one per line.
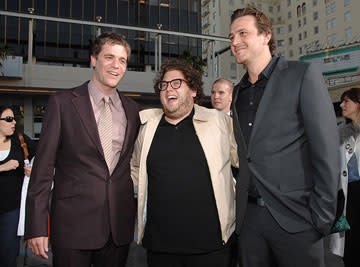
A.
pixel 109 67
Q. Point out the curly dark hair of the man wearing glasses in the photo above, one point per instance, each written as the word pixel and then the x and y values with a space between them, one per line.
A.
pixel 191 75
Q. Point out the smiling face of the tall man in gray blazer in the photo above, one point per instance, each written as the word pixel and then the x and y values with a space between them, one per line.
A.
pixel 247 44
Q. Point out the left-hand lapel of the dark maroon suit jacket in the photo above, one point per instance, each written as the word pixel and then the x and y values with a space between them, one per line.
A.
pixel 83 106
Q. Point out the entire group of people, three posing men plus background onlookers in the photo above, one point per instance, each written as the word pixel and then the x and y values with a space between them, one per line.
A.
pixel 253 182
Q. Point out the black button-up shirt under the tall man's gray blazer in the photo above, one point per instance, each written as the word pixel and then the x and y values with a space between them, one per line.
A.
pixel 247 103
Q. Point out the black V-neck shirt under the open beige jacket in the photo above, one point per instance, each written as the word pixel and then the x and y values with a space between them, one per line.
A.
pixel 181 210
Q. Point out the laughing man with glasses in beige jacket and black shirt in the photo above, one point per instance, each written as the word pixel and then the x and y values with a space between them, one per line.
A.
pixel 181 166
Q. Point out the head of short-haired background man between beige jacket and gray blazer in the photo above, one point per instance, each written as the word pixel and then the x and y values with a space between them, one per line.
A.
pixel 221 95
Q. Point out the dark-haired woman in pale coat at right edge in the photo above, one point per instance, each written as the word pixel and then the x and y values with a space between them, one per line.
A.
pixel 345 244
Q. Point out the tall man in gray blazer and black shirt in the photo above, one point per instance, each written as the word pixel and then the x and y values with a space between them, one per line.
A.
pixel 285 127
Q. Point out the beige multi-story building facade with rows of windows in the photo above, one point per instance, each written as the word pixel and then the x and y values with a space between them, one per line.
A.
pixel 300 27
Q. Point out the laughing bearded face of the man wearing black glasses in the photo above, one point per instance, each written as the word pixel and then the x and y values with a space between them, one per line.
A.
pixel 177 103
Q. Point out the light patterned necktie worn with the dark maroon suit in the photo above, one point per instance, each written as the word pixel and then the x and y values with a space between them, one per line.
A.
pixel 105 130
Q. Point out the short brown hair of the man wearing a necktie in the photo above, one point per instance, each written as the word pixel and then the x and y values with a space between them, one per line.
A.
pixel 111 38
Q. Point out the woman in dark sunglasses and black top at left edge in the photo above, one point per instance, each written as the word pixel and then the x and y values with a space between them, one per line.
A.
pixel 12 171
